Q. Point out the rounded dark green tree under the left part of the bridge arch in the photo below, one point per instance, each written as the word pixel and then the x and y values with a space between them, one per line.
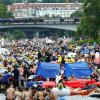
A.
pixel 18 34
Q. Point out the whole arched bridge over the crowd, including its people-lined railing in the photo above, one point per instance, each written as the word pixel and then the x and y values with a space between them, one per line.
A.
pixel 66 24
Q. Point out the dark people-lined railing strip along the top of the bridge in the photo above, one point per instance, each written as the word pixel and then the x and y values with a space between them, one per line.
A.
pixel 39 21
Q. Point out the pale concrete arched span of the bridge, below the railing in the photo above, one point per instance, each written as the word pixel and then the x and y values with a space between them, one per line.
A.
pixel 71 27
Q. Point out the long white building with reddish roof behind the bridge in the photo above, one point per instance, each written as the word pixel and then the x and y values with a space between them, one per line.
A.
pixel 31 10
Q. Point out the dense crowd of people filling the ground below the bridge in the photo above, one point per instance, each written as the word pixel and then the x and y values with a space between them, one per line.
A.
pixel 21 59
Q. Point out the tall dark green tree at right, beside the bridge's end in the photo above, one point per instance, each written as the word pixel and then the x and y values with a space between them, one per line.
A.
pixel 90 23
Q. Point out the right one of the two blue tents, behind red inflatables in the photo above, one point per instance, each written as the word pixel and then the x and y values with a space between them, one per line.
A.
pixel 79 69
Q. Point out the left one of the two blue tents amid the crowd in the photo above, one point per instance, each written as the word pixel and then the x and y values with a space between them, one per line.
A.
pixel 48 70
